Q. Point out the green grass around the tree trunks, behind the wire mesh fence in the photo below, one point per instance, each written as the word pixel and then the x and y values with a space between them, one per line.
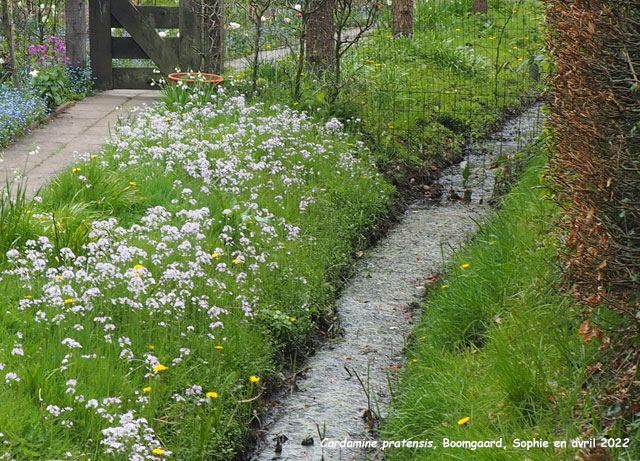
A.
pixel 417 100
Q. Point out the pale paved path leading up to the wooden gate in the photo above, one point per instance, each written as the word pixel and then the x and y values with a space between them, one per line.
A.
pixel 84 127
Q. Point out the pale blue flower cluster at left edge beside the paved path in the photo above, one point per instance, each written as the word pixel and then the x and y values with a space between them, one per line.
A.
pixel 18 110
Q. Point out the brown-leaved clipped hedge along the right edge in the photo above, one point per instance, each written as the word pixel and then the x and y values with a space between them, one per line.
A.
pixel 595 166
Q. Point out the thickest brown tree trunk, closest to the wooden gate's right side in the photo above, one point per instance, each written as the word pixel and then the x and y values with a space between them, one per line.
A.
pixel 320 35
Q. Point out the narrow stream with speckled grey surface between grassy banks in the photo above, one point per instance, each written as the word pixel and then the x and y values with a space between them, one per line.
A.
pixel 377 310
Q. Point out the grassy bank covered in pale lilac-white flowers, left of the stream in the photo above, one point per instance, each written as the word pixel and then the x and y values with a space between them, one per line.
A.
pixel 150 290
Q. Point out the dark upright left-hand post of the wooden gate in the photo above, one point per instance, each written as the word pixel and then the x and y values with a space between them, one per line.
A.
pixel 100 43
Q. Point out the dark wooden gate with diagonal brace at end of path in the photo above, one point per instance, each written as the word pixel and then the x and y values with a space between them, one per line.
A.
pixel 143 42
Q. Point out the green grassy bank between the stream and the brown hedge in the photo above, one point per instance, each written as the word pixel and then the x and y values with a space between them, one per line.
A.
pixel 497 354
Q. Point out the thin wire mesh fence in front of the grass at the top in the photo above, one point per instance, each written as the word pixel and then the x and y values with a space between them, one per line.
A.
pixel 459 76
